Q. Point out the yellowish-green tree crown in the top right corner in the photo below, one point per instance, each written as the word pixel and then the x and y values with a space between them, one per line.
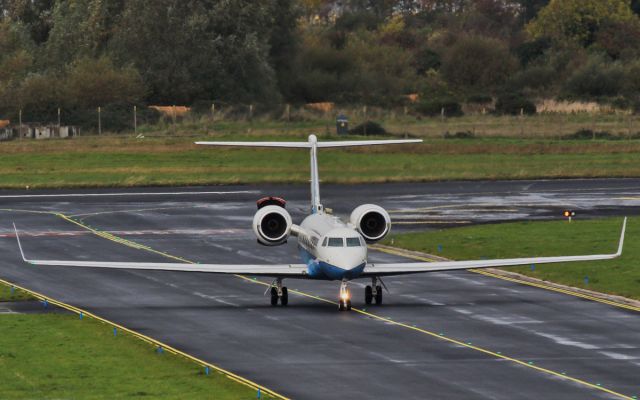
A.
pixel 579 21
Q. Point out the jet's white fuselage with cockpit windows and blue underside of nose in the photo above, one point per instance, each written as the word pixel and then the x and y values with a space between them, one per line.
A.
pixel 331 249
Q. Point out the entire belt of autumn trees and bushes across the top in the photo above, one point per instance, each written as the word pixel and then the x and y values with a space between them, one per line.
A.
pixel 82 54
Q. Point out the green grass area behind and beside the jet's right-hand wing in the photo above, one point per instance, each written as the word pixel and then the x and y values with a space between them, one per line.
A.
pixel 527 239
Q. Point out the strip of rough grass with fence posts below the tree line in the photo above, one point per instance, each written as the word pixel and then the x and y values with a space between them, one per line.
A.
pixel 206 117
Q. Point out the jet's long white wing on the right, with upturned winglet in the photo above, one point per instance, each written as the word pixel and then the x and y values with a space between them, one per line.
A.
pixel 414 268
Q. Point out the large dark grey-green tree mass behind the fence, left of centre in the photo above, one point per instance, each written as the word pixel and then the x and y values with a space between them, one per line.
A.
pixel 199 49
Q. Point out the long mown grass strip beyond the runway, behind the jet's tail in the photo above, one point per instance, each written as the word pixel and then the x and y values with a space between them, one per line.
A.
pixel 125 161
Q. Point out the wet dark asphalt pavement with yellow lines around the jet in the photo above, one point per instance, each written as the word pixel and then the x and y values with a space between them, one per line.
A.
pixel 438 336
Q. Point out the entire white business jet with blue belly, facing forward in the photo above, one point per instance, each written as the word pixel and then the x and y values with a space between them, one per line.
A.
pixel 331 249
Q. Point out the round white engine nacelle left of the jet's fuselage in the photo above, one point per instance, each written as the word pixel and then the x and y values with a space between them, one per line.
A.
pixel 272 225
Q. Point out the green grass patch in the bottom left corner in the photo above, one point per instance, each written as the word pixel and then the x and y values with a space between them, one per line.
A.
pixel 55 356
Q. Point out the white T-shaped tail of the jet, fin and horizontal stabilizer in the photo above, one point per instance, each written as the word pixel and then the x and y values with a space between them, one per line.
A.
pixel 313 145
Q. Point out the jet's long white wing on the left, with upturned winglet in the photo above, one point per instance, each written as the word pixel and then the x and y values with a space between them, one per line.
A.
pixel 273 270
